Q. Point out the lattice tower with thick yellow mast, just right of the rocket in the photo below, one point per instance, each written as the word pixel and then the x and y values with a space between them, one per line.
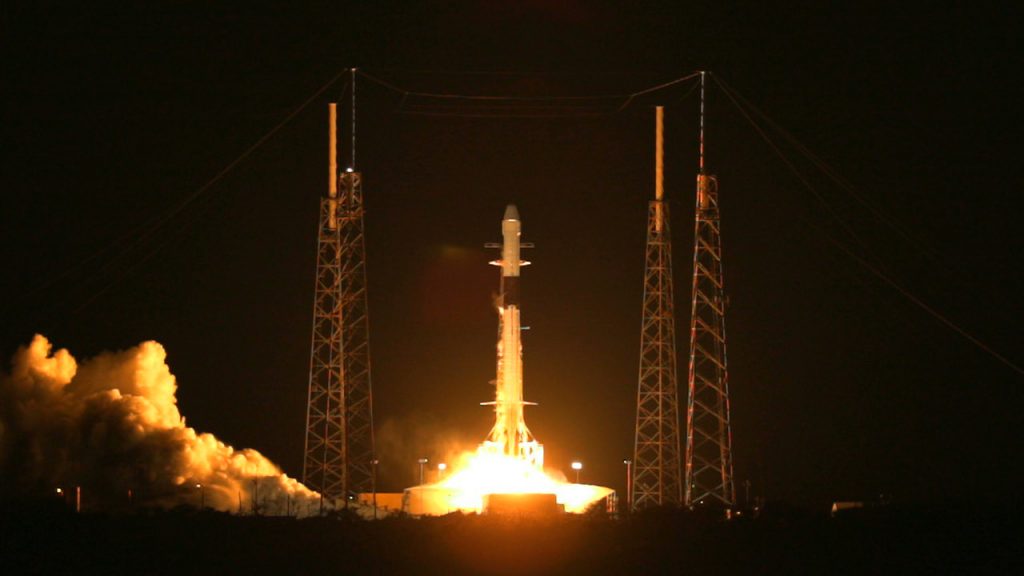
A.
pixel 657 463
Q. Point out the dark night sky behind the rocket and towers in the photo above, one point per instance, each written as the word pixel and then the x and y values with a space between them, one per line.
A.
pixel 841 387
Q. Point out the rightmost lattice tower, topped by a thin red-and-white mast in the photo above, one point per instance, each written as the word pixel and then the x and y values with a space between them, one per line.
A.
pixel 709 438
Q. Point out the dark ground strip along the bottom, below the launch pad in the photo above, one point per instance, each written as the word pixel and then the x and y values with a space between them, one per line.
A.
pixel 782 541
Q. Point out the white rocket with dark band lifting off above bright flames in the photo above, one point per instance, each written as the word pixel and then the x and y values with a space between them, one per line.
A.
pixel 510 435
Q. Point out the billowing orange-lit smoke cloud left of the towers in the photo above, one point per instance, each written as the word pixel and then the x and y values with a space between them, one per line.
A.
pixel 112 426
